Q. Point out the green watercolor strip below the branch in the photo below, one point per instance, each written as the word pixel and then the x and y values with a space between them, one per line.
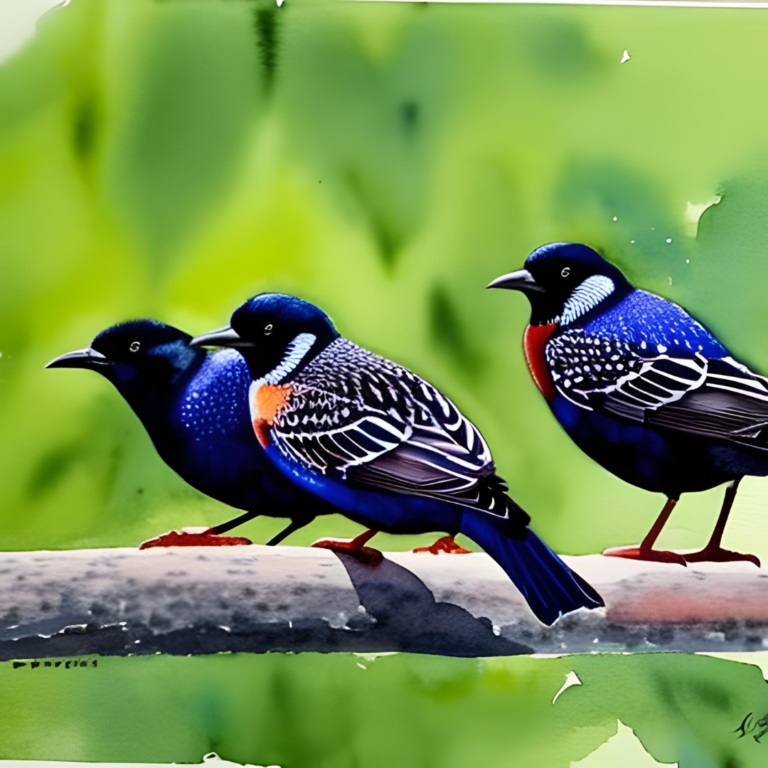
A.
pixel 346 711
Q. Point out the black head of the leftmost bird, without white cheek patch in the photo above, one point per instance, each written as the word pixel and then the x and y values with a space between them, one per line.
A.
pixel 137 357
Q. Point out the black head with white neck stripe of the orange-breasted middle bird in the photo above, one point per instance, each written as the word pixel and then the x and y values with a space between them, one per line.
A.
pixel 276 334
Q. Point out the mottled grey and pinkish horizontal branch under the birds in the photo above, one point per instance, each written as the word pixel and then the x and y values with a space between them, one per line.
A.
pixel 257 599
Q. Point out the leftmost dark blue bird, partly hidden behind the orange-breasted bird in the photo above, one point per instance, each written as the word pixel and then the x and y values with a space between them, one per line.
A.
pixel 194 406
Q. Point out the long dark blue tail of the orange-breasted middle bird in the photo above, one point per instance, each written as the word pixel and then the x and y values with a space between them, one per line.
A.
pixel 549 586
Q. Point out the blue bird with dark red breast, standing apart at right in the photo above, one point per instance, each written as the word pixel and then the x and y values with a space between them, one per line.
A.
pixel 641 386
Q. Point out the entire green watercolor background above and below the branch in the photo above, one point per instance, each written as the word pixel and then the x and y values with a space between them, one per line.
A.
pixel 169 159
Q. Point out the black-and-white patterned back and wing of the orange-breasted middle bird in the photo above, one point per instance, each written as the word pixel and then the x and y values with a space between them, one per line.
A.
pixel 379 425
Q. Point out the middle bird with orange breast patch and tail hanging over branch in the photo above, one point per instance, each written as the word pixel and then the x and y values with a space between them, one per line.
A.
pixel 372 438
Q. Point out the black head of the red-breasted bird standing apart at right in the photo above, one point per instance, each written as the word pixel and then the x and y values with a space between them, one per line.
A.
pixel 566 281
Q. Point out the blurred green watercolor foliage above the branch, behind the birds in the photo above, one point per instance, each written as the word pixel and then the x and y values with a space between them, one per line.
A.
pixel 169 159
